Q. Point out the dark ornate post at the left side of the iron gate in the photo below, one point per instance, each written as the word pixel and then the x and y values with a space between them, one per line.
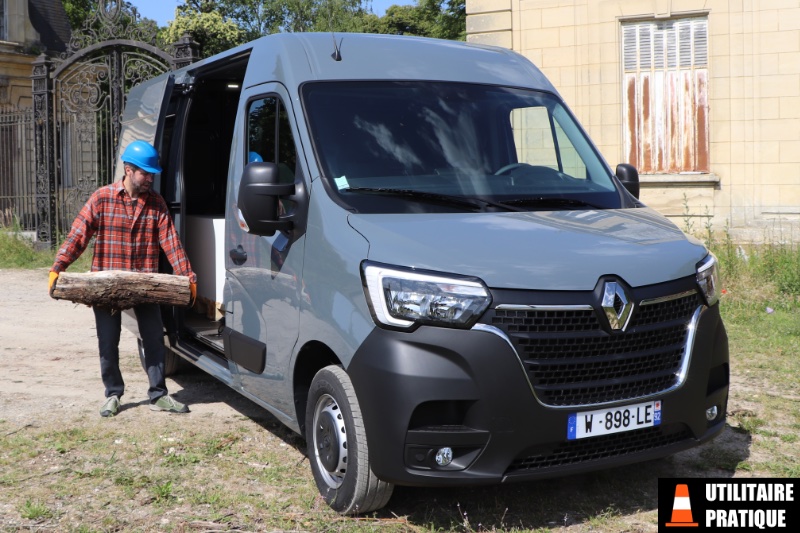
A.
pixel 46 231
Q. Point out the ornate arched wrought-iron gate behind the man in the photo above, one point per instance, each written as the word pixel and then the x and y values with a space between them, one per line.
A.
pixel 78 103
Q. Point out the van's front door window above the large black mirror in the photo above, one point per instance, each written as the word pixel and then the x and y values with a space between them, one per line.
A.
pixel 269 136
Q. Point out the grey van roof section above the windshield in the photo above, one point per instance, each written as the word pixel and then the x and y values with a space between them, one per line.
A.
pixel 294 58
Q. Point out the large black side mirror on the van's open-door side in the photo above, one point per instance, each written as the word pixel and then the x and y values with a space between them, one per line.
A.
pixel 259 192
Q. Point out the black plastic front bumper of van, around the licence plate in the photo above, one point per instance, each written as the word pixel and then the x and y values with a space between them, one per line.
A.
pixel 468 390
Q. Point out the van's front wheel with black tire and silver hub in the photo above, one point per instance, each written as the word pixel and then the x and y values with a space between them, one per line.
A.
pixel 337 446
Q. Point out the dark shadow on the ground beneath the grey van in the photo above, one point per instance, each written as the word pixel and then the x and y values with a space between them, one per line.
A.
pixel 549 503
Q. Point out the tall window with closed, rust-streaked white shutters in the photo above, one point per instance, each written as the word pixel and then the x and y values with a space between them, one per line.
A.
pixel 666 95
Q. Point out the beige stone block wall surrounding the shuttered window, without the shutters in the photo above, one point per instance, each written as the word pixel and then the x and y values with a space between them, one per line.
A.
pixel 754 97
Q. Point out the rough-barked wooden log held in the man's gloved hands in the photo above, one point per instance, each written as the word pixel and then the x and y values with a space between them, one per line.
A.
pixel 119 289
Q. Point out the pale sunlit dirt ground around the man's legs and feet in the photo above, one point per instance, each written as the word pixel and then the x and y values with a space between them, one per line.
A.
pixel 48 352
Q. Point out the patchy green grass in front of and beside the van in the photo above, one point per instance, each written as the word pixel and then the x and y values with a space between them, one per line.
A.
pixel 249 473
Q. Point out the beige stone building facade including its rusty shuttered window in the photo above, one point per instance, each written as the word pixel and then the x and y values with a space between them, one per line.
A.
pixel 703 96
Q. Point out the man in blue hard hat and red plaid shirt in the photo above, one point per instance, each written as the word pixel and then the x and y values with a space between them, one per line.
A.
pixel 131 224
